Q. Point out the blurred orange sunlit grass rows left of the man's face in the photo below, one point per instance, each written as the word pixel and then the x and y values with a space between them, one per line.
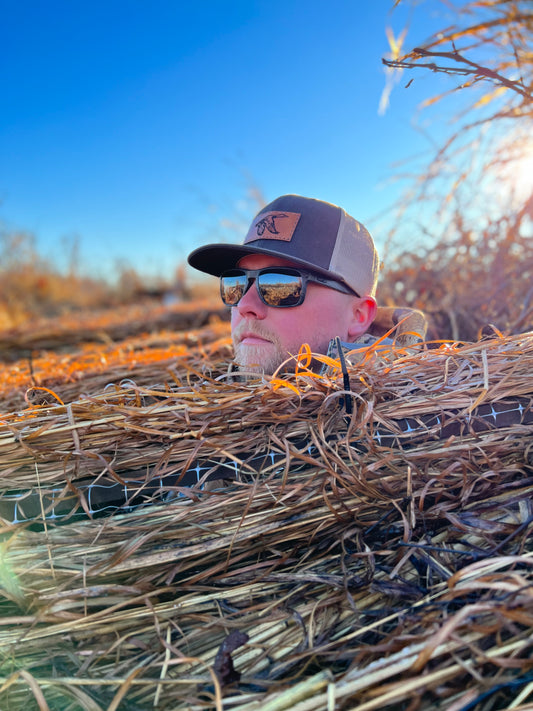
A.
pixel 75 356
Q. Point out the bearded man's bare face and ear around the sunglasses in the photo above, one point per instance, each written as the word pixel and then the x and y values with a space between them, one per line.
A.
pixel 265 336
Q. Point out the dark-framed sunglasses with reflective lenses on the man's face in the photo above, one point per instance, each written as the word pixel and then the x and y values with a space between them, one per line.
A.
pixel 277 286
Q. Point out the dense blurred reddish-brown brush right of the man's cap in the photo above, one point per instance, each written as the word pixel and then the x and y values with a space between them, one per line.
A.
pixel 468 282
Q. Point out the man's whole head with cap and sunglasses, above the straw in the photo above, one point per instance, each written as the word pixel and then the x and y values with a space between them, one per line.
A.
pixel 314 249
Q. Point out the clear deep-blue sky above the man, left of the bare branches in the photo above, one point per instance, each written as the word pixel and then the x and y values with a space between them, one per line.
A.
pixel 138 126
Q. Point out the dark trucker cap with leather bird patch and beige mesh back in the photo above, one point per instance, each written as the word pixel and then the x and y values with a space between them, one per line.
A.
pixel 311 233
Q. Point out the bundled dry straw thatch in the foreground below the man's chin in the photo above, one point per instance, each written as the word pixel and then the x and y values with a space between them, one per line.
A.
pixel 371 565
